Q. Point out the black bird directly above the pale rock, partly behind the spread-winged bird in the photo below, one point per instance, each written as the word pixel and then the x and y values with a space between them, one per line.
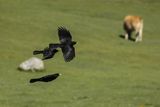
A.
pixel 48 52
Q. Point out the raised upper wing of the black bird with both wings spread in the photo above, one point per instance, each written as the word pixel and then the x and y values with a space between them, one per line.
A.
pixel 64 35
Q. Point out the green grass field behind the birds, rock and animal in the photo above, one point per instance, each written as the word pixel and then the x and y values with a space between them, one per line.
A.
pixel 108 71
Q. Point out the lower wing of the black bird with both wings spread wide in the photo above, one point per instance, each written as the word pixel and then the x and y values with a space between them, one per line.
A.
pixel 68 53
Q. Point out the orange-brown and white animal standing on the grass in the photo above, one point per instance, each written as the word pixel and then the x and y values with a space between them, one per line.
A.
pixel 131 24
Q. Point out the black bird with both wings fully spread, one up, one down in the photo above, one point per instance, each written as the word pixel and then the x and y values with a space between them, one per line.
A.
pixel 66 44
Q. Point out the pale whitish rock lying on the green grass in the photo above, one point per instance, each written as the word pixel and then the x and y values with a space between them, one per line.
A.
pixel 33 64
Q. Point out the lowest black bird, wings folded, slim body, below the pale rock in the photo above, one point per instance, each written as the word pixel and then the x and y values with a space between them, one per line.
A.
pixel 46 78
